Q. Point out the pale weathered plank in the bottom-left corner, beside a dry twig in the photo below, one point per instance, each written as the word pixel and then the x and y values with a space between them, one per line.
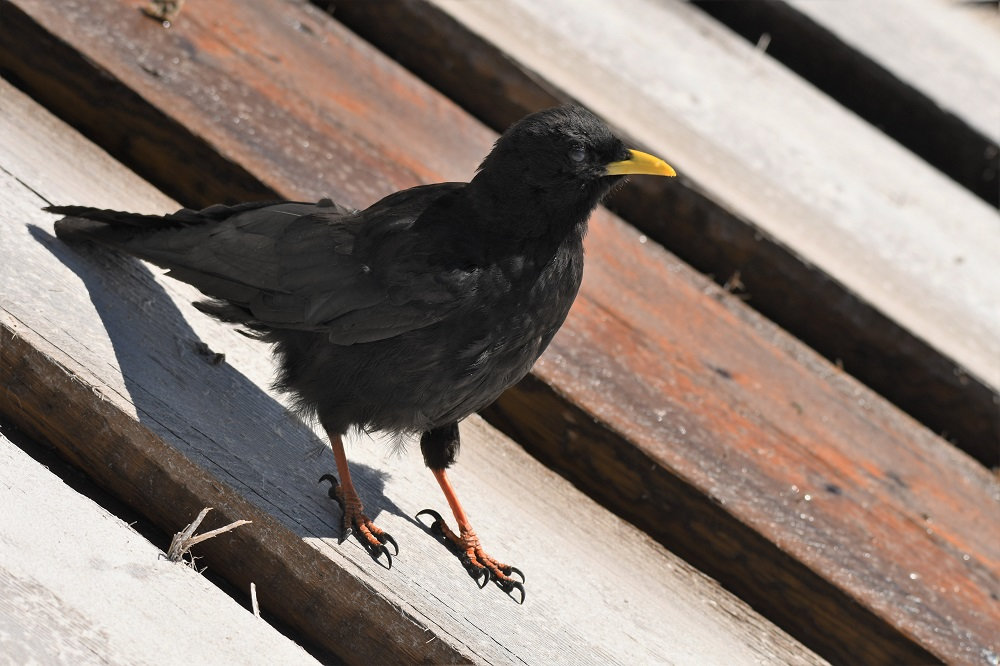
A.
pixel 81 586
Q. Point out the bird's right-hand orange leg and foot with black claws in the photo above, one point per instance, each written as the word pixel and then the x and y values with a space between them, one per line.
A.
pixel 466 544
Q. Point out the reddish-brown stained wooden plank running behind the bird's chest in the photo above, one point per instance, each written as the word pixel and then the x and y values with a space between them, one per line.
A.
pixel 731 417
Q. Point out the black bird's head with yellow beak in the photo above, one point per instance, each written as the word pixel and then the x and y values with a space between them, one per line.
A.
pixel 557 165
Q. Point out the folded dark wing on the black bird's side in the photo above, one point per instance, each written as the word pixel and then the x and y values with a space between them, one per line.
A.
pixel 294 266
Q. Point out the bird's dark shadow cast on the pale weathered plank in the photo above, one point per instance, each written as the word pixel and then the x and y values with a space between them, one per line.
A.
pixel 151 340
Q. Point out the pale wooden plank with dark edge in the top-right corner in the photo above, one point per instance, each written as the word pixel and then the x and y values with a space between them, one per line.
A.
pixel 919 70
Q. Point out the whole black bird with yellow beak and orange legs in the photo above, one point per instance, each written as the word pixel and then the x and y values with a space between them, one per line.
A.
pixel 411 314
